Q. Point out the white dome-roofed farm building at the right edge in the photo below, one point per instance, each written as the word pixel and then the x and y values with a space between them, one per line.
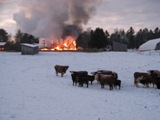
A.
pixel 150 45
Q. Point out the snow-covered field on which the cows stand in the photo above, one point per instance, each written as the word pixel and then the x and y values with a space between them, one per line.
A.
pixel 30 90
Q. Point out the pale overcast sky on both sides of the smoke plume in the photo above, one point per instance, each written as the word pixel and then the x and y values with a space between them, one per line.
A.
pixel 110 14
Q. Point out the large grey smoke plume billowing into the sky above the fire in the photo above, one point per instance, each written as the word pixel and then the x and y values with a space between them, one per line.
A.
pixel 48 18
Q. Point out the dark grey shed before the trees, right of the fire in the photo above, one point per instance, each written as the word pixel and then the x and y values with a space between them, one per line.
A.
pixel 119 46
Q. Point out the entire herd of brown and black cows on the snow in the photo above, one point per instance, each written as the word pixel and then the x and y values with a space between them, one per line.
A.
pixel 110 78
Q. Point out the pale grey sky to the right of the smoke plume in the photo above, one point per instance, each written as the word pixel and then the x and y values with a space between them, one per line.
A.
pixel 125 13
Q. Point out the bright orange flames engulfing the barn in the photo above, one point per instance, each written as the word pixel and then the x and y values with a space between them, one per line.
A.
pixel 68 43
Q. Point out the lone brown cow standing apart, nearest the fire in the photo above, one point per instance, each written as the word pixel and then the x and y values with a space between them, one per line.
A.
pixel 61 69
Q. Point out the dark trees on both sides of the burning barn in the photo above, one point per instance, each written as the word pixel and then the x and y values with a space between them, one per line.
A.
pixel 97 38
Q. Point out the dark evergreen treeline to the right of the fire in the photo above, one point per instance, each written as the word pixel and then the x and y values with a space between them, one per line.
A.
pixel 99 38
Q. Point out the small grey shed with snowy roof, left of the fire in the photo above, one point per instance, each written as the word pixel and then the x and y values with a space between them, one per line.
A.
pixel 29 49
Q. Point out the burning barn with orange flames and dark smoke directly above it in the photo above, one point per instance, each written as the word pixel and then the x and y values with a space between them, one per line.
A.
pixel 67 42
